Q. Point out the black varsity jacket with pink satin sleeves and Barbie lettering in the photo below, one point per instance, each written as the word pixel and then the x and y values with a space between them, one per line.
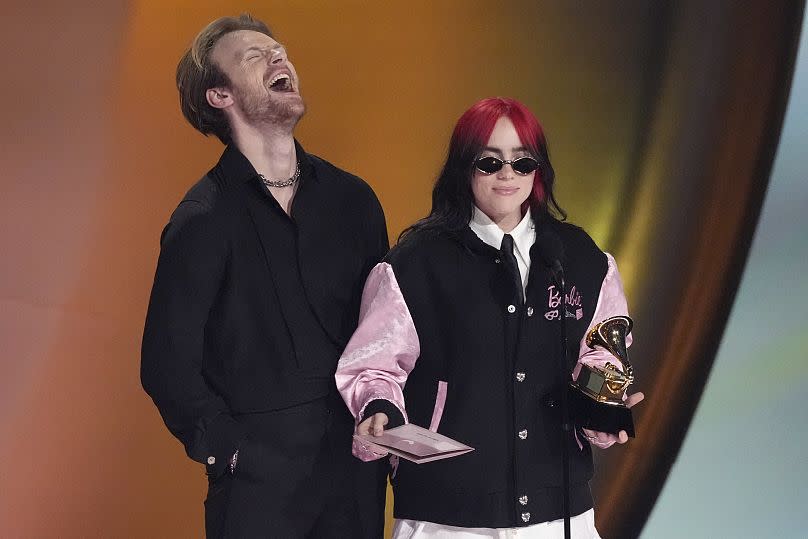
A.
pixel 445 341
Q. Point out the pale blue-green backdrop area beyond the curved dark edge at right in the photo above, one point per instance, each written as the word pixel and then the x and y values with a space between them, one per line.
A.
pixel 741 471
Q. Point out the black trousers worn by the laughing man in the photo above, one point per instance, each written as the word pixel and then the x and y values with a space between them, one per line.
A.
pixel 296 478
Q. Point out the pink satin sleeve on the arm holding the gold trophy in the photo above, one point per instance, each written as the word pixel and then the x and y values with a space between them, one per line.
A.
pixel 611 302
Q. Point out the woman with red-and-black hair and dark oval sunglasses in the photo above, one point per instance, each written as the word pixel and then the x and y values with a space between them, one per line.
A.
pixel 461 330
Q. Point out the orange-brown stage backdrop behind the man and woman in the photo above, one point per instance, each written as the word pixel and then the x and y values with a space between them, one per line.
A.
pixel 662 120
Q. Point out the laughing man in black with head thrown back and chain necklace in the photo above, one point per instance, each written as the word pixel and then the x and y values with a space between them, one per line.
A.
pixel 256 294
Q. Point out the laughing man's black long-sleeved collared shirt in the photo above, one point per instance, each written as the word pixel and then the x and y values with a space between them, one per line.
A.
pixel 251 307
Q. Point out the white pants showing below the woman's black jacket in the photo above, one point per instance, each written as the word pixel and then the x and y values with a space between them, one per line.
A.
pixel 581 527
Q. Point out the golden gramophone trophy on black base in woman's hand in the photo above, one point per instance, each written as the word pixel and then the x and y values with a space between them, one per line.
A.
pixel 596 397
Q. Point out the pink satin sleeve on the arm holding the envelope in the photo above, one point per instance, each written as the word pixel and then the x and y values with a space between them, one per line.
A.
pixel 381 353
